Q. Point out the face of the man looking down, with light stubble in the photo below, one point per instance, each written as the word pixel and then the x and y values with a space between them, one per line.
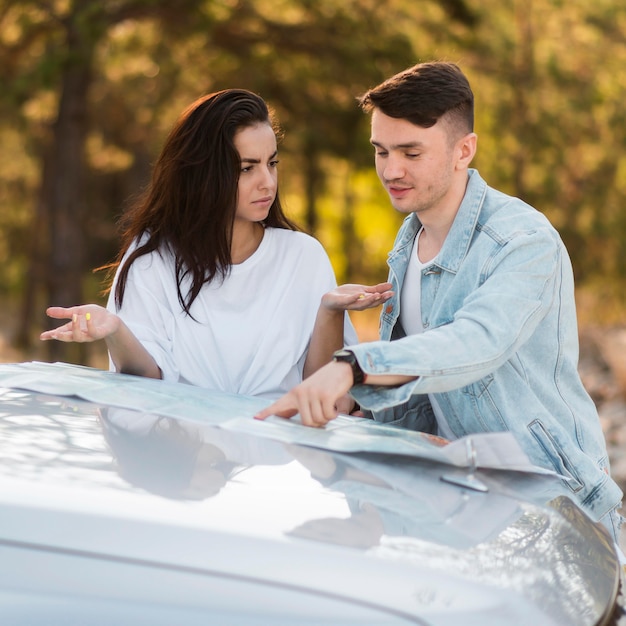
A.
pixel 416 165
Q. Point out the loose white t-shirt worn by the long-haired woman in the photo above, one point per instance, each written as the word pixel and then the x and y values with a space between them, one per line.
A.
pixel 248 334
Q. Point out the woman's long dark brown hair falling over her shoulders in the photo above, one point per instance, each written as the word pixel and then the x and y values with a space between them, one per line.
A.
pixel 189 207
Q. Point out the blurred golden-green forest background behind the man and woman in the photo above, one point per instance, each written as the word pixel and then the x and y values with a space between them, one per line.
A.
pixel 89 89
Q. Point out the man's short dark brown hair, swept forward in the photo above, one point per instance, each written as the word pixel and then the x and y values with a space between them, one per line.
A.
pixel 423 94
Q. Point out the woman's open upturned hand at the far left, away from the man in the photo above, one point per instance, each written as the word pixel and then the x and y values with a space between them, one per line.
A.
pixel 88 322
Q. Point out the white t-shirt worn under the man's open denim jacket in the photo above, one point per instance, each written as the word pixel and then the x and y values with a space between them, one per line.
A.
pixel 411 319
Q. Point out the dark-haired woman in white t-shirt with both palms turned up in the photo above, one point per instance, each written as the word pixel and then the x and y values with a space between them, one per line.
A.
pixel 213 285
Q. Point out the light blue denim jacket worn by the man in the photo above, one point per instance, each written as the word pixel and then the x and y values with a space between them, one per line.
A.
pixel 500 347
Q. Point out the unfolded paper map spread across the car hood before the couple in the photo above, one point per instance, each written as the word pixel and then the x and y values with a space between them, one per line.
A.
pixel 235 412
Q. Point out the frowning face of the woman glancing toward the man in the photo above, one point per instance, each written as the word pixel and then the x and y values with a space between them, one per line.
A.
pixel 258 179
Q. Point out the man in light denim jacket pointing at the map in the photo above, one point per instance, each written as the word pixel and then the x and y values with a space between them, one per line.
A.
pixel 481 334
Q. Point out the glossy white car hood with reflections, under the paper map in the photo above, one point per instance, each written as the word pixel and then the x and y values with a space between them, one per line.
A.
pixel 375 527
